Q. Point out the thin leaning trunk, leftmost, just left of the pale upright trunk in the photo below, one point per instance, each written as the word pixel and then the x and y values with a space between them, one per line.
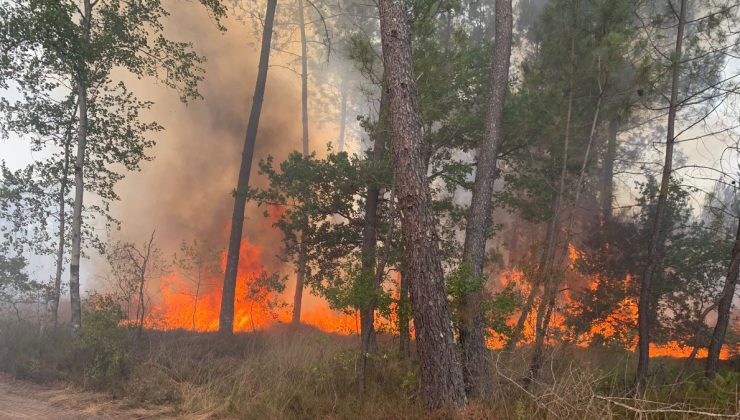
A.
pixel 62 202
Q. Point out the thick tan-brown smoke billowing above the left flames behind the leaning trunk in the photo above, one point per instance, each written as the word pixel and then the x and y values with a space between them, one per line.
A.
pixel 185 192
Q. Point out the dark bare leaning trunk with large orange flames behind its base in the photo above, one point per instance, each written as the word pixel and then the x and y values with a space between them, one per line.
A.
pixel 226 318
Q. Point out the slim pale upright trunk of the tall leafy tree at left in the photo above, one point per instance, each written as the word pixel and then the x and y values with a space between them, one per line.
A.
pixel 74 264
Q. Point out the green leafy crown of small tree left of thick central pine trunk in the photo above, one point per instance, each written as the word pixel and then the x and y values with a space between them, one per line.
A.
pixel 320 202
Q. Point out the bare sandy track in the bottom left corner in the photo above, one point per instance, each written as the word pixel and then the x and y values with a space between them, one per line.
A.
pixel 23 400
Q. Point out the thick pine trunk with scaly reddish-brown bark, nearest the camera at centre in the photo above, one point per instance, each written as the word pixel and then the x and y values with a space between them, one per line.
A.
pixel 441 373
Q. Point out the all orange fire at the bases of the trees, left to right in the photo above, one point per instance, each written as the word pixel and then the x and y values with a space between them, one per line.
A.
pixel 186 305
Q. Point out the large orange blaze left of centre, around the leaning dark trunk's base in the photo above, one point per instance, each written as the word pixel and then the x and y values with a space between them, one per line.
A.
pixel 191 303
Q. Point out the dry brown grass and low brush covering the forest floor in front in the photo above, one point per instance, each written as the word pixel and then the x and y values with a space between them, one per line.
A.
pixel 303 373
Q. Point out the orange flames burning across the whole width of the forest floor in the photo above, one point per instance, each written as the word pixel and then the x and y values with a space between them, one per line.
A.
pixel 188 302
